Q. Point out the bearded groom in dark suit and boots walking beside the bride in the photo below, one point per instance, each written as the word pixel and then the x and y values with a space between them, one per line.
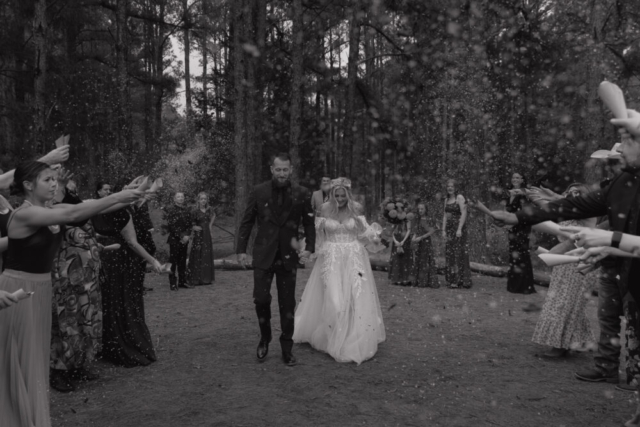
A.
pixel 279 207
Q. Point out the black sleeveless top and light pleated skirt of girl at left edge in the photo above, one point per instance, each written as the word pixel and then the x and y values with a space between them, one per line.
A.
pixel 25 329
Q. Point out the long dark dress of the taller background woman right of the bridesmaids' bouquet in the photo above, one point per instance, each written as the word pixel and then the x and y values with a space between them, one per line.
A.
pixel 456 252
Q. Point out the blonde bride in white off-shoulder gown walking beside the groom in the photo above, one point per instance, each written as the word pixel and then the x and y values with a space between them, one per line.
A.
pixel 340 312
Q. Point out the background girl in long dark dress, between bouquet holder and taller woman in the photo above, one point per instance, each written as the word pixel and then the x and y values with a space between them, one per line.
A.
pixel 424 265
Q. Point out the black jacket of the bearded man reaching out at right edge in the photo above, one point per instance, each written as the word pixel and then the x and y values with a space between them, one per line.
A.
pixel 616 200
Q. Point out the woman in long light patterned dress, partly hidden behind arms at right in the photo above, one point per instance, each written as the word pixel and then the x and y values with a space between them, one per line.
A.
pixel 563 323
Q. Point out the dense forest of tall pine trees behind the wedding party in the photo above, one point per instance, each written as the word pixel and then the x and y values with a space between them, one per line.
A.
pixel 398 95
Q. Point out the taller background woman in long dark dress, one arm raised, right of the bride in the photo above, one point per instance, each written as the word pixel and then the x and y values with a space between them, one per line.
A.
pixel 454 232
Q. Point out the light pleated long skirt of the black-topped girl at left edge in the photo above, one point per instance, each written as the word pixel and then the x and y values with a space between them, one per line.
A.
pixel 25 338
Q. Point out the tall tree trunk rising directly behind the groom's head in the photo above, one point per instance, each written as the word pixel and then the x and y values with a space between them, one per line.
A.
pixel 295 125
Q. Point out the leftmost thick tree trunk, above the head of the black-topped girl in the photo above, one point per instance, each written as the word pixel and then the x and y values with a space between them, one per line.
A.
pixel 40 28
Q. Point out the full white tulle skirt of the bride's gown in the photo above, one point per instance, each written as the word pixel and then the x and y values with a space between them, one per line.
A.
pixel 340 311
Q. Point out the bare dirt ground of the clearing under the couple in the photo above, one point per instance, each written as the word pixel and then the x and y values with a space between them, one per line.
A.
pixel 452 358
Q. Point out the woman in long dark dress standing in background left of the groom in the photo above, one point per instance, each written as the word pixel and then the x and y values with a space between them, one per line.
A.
pixel 201 270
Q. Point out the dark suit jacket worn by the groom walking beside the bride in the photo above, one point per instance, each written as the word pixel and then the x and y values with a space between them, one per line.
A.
pixel 276 231
